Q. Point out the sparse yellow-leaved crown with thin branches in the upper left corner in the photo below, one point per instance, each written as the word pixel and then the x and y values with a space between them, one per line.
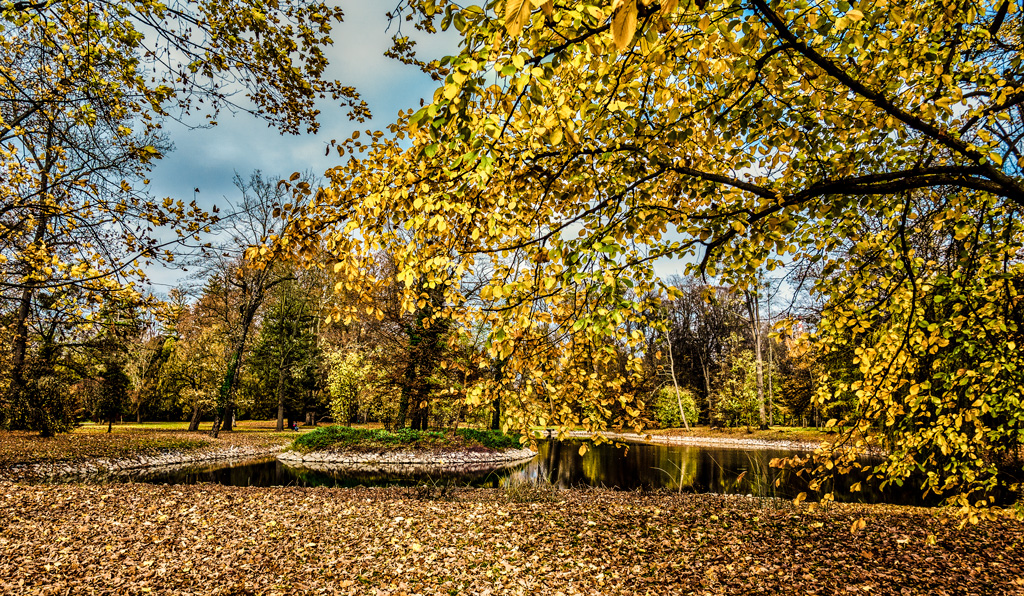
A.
pixel 83 93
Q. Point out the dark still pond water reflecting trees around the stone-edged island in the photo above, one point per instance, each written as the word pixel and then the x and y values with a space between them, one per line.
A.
pixel 636 466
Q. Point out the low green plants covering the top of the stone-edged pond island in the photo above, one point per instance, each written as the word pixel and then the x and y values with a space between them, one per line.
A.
pixel 349 439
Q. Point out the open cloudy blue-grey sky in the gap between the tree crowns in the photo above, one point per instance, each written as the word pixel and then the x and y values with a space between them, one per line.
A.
pixel 208 158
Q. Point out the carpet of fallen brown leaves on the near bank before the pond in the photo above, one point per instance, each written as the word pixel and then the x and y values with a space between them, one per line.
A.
pixel 217 540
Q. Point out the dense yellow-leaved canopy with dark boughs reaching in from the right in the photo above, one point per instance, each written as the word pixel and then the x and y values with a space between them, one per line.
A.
pixel 874 147
